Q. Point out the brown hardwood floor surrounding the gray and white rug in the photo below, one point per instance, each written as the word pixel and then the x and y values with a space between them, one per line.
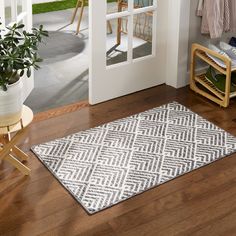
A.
pixel 202 202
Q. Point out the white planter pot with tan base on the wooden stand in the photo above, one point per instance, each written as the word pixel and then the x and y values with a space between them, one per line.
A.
pixel 11 103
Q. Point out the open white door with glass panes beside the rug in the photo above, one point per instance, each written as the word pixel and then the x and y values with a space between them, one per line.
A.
pixel 128 47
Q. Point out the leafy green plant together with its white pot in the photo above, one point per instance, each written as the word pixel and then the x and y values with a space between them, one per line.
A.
pixel 18 56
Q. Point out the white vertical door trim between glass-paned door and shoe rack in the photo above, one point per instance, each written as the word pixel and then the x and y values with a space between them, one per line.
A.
pixel 178 41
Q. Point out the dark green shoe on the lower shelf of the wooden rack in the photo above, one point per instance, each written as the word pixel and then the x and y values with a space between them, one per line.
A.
pixel 218 80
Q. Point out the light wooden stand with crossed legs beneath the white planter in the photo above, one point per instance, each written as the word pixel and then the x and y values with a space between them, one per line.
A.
pixel 8 150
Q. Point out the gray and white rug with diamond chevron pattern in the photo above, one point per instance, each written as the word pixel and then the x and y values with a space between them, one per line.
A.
pixel 108 164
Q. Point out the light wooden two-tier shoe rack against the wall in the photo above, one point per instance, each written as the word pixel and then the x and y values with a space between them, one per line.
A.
pixel 199 51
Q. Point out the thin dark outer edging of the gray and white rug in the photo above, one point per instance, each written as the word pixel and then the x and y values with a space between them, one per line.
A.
pixel 121 201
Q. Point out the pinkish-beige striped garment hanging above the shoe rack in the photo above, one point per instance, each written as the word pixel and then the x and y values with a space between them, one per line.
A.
pixel 215 17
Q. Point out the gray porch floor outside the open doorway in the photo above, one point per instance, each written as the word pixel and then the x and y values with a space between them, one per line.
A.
pixel 63 77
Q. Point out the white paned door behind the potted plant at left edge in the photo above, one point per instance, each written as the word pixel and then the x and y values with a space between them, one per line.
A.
pixel 20 11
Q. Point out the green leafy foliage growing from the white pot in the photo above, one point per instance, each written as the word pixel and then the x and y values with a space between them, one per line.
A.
pixel 18 53
